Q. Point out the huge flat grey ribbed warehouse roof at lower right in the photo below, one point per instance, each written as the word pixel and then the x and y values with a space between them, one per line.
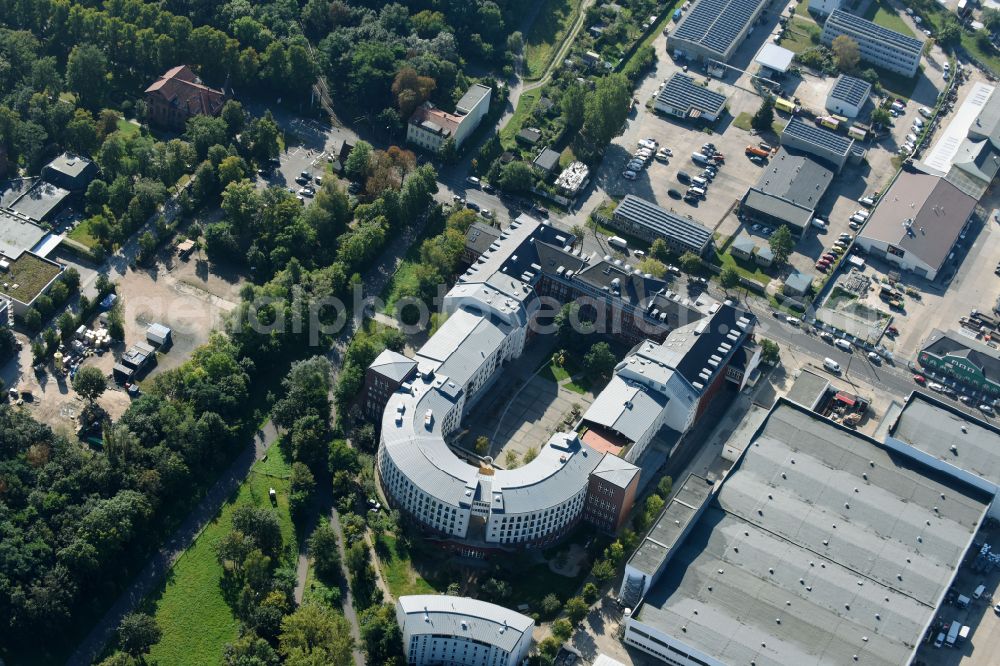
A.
pixel 820 545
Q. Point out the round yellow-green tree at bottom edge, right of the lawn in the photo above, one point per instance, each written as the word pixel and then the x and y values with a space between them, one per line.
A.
pixel 315 635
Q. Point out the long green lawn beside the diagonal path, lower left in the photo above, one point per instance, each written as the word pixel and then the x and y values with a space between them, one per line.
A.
pixel 189 607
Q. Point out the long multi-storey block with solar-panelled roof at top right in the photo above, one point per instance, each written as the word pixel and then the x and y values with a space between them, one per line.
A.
pixel 879 46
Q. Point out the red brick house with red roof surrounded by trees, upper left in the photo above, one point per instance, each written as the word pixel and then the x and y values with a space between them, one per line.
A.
pixel 178 95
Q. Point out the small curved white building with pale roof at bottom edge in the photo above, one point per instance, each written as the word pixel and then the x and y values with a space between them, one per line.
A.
pixel 440 629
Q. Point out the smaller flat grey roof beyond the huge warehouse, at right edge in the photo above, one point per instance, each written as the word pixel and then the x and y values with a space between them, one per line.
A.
pixel 935 427
